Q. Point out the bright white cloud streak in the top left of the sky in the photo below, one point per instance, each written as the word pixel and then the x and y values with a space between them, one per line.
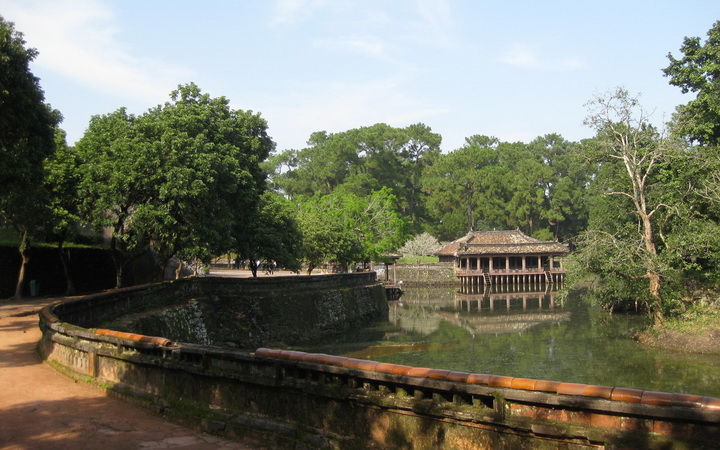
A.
pixel 81 41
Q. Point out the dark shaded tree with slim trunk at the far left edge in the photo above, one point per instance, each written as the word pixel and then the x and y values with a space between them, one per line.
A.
pixel 27 127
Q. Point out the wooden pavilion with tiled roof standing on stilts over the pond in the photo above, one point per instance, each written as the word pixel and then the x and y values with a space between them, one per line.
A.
pixel 504 257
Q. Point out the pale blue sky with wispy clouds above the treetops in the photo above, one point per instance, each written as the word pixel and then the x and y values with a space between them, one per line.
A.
pixel 514 70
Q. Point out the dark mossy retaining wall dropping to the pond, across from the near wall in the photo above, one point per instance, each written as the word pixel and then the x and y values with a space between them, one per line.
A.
pixel 240 313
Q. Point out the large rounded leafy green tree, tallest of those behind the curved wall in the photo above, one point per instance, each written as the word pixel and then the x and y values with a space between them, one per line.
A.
pixel 208 157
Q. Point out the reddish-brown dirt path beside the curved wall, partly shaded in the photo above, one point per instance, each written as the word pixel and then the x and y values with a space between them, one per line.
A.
pixel 42 409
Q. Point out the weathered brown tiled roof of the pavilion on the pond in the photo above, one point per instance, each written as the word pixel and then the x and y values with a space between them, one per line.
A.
pixel 503 242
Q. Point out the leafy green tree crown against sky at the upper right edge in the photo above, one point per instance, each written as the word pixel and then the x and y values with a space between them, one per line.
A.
pixel 697 72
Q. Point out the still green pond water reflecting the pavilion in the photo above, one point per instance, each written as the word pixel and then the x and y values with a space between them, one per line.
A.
pixel 539 335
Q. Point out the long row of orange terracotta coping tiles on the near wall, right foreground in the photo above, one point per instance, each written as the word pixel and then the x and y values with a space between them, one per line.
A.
pixel 584 390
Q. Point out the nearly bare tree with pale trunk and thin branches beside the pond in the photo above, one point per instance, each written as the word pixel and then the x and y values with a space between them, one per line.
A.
pixel 624 136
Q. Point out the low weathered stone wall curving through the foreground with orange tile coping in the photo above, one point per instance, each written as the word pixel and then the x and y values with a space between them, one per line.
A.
pixel 290 399
